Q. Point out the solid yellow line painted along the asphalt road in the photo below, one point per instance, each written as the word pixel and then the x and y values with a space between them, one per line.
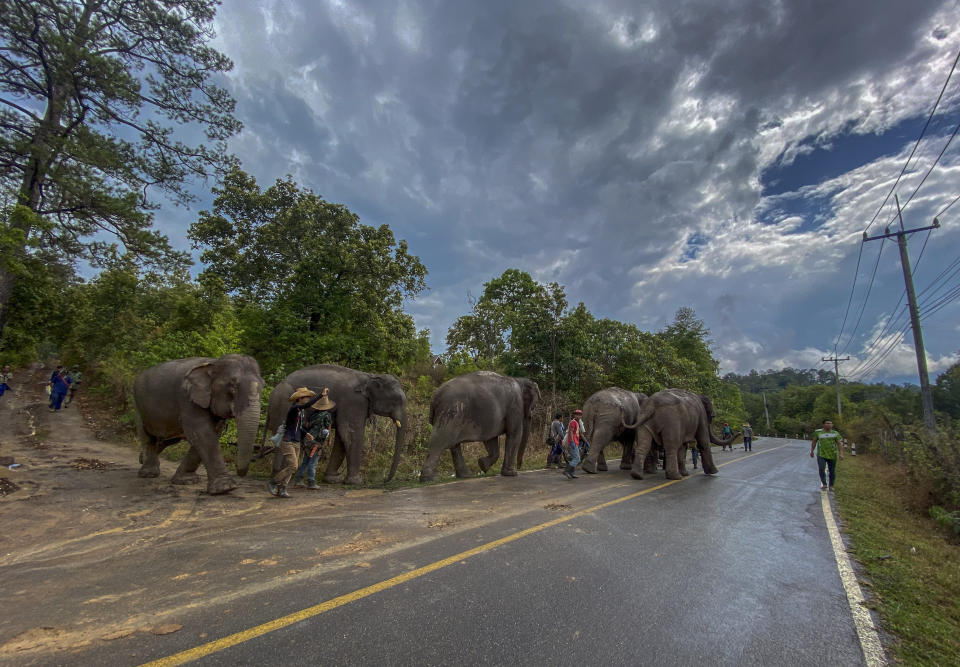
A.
pixel 215 646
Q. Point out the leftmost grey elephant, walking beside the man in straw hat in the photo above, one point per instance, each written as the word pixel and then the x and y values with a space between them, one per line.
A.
pixel 192 399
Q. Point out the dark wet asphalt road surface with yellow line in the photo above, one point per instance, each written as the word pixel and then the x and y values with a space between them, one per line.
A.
pixel 735 569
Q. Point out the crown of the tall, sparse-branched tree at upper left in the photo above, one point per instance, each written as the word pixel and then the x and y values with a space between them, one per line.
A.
pixel 90 92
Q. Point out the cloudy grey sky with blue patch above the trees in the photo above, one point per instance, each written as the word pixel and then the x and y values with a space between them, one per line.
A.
pixel 721 155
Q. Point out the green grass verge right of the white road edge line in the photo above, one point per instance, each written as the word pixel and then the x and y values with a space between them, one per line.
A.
pixel 911 563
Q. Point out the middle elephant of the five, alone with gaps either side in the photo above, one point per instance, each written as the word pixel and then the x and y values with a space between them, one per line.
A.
pixel 479 407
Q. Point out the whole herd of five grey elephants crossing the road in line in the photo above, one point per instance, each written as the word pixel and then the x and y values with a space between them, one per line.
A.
pixel 192 399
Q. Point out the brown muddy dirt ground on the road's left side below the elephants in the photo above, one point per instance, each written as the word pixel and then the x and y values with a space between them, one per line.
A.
pixel 92 553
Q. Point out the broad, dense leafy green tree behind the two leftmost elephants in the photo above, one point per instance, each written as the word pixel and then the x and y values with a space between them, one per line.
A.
pixel 312 282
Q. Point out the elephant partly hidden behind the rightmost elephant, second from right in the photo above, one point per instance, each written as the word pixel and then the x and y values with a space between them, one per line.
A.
pixel 603 416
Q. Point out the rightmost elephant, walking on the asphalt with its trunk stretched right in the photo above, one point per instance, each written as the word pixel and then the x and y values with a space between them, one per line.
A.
pixel 674 417
